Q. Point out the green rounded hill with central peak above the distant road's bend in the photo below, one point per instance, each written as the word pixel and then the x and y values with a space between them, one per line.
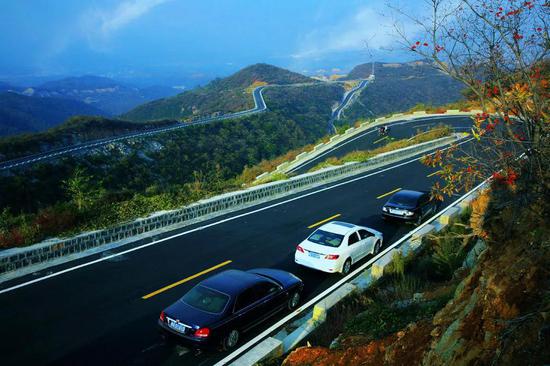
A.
pixel 230 94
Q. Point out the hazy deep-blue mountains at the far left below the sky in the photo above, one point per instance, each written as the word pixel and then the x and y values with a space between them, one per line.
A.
pixel 32 109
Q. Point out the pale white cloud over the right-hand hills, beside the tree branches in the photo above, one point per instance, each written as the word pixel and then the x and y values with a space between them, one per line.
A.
pixel 366 26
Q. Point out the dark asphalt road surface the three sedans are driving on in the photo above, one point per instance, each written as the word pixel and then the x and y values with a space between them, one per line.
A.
pixel 95 315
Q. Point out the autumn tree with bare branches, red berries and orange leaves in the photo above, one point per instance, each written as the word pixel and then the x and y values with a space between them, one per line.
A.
pixel 499 50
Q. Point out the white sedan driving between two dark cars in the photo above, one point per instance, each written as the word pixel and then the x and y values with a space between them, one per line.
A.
pixel 335 246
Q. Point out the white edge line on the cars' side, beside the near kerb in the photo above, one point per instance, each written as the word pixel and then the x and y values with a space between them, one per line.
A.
pixel 311 302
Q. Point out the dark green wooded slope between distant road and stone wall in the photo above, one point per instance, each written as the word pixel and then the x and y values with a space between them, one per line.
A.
pixel 128 180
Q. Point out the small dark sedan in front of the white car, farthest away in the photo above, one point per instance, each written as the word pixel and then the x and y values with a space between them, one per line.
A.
pixel 411 206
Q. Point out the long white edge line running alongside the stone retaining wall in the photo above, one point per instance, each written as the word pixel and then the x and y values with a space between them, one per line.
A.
pixel 209 225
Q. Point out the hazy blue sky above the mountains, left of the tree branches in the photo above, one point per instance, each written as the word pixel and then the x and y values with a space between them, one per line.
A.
pixel 215 36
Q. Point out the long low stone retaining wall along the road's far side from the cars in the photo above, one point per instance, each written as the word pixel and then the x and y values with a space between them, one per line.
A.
pixel 16 258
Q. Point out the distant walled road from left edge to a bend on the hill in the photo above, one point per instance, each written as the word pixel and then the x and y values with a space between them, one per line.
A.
pixel 259 106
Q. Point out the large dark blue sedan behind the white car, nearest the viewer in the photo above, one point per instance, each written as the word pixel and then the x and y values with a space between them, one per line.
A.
pixel 219 309
